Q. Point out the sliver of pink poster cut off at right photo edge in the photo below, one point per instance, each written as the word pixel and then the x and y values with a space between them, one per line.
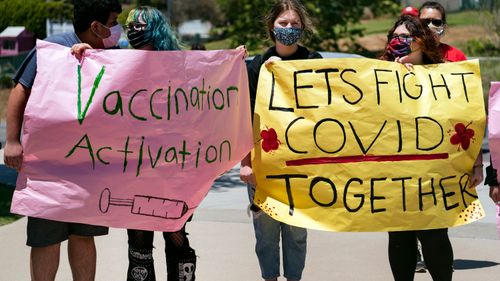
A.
pixel 494 124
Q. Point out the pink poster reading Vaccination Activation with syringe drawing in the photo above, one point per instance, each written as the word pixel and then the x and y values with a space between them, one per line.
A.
pixel 129 138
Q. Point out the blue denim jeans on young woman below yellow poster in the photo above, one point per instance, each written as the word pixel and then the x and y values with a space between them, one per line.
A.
pixel 267 235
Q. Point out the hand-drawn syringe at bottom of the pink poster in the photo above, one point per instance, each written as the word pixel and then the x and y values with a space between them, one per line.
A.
pixel 145 205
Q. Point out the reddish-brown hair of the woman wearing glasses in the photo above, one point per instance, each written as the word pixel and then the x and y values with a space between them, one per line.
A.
pixel 423 36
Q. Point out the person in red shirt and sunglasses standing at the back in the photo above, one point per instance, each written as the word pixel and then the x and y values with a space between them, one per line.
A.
pixel 433 15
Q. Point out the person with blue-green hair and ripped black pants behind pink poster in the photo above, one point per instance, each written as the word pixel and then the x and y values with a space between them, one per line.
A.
pixel 148 29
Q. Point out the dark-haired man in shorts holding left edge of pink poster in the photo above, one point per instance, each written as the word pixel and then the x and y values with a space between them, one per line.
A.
pixel 95 23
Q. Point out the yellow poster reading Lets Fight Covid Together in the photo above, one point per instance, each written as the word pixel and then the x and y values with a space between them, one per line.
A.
pixel 366 145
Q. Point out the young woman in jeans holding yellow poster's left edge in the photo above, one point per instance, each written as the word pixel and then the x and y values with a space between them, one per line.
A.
pixel 286 23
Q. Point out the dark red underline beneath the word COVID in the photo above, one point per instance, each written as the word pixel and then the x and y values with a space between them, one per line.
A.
pixel 366 158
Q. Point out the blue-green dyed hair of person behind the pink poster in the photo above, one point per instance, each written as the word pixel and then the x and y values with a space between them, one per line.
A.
pixel 158 31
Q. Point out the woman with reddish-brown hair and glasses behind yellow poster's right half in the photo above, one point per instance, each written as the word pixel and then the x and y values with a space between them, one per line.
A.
pixel 410 42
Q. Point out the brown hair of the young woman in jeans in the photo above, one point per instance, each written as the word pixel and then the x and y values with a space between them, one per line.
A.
pixel 285 5
